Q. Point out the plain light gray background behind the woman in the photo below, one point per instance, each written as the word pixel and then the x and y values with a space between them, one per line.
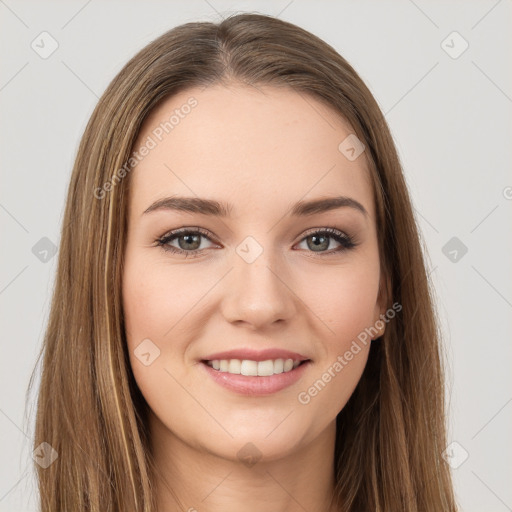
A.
pixel 451 121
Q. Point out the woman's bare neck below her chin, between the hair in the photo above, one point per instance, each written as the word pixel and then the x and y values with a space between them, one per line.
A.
pixel 192 478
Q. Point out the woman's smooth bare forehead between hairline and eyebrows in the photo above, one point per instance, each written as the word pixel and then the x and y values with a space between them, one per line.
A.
pixel 262 147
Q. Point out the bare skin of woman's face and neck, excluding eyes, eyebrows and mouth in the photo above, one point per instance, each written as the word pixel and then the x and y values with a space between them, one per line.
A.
pixel 261 150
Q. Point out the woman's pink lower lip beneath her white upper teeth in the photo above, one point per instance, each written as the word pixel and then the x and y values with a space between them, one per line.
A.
pixel 252 385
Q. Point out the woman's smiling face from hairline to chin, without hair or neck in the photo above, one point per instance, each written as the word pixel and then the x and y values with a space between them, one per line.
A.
pixel 265 283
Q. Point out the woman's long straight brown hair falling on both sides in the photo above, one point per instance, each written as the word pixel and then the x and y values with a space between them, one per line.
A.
pixel 390 435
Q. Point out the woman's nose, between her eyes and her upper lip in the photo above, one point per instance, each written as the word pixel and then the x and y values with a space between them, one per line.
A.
pixel 257 293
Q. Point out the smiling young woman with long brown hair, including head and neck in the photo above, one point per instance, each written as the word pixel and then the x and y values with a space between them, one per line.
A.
pixel 242 317
